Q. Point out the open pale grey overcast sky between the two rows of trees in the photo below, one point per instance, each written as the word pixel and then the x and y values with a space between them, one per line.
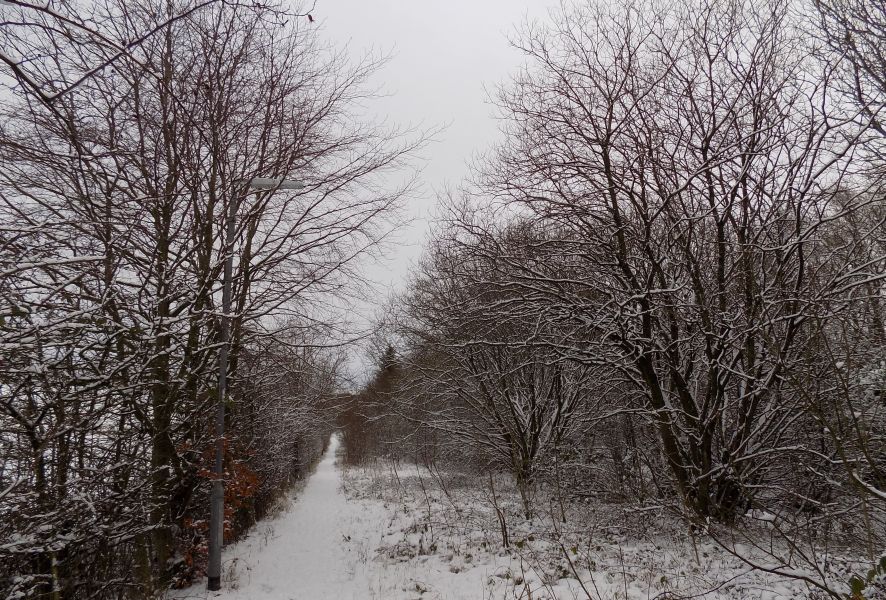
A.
pixel 443 54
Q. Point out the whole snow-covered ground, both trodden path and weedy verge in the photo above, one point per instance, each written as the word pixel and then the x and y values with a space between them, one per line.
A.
pixel 395 533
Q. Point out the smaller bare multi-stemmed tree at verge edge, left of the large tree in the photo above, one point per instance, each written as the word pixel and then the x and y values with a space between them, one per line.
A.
pixel 488 375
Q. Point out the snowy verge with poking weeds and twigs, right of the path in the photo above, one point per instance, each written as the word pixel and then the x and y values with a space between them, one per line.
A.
pixel 439 520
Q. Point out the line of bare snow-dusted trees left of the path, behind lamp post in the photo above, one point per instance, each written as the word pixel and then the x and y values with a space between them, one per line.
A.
pixel 113 203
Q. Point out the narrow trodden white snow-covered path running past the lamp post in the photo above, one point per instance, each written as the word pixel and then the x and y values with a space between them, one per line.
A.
pixel 319 548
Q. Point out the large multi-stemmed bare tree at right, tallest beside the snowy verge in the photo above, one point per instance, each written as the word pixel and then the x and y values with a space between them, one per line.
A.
pixel 685 153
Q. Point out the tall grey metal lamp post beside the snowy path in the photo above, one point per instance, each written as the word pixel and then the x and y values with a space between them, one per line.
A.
pixel 217 498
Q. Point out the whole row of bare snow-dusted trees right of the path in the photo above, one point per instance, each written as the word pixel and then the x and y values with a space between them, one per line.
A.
pixel 666 284
